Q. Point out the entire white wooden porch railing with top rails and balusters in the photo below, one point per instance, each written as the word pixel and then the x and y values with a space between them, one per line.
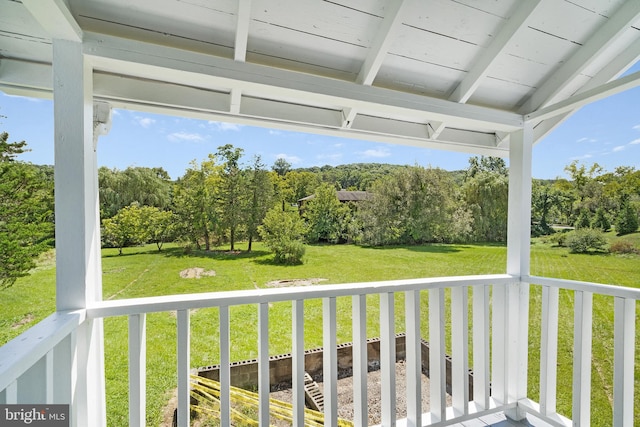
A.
pixel 499 315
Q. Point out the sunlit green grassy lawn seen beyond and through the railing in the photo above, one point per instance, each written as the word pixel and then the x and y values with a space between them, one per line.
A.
pixel 145 272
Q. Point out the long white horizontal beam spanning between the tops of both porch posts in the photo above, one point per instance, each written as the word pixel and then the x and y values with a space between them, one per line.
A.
pixel 128 57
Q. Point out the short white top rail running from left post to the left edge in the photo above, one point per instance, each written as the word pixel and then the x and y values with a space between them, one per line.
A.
pixel 21 353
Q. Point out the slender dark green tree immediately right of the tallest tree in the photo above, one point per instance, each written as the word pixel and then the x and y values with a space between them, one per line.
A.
pixel 260 198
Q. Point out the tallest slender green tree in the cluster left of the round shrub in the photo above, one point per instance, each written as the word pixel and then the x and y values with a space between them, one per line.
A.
pixel 232 197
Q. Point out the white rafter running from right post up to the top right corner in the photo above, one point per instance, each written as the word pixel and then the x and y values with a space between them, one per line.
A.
pixel 617 24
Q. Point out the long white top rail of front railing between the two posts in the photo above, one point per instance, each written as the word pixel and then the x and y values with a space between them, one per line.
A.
pixel 217 299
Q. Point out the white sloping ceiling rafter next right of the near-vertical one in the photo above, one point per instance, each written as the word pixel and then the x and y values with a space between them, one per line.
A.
pixel 380 46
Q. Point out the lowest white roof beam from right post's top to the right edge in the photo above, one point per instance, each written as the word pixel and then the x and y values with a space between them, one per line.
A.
pixel 580 100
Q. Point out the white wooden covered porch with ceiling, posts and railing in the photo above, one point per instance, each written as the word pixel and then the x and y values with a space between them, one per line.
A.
pixel 481 77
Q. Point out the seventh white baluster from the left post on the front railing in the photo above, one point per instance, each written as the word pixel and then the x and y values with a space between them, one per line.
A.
pixel 360 360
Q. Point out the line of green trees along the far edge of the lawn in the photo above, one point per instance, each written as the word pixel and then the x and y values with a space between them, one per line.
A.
pixel 223 199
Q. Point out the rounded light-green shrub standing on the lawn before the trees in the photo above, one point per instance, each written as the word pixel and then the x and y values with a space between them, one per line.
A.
pixel 283 233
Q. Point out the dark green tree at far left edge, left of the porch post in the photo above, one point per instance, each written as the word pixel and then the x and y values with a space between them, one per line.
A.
pixel 26 212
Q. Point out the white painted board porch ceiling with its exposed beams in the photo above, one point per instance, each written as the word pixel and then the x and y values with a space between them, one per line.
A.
pixel 452 74
